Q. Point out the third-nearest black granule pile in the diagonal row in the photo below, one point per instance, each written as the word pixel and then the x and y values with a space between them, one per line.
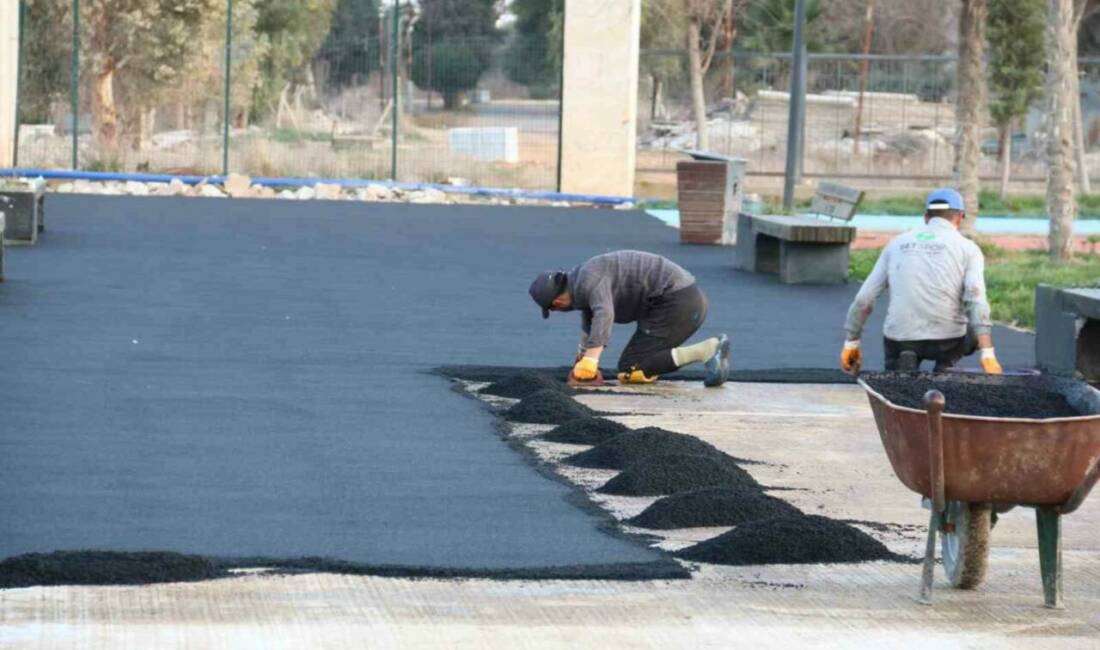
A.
pixel 674 473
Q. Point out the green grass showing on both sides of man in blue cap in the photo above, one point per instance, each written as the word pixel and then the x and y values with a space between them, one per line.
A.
pixel 1011 279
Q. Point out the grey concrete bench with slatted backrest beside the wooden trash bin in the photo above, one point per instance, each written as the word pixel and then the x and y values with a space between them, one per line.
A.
pixel 802 249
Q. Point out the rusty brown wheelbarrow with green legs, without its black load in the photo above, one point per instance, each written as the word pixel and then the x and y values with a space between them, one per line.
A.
pixel 974 468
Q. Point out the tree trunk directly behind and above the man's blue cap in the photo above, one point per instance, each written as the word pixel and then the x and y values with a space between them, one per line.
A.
pixel 971 107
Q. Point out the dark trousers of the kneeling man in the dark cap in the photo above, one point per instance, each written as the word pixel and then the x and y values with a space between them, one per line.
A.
pixel 669 321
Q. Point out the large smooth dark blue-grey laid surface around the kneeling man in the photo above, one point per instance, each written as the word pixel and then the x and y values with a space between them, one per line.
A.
pixel 254 379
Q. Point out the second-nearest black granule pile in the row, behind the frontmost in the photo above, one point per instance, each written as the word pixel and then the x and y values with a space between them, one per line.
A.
pixel 714 506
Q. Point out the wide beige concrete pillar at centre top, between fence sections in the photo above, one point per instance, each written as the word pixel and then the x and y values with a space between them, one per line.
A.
pixel 600 96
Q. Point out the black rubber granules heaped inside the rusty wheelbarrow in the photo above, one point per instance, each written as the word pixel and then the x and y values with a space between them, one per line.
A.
pixel 987 399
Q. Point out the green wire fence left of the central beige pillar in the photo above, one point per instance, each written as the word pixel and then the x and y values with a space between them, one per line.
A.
pixel 376 97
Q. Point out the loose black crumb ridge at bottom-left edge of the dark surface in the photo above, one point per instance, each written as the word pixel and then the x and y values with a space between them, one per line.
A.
pixel 105 568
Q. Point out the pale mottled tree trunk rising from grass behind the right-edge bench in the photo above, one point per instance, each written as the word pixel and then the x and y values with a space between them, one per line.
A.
pixel 1061 91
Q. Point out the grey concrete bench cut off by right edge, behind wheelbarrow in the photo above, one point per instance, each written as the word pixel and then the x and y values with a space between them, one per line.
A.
pixel 1068 332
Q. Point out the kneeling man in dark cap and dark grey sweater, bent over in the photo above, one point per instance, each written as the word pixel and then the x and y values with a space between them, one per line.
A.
pixel 629 287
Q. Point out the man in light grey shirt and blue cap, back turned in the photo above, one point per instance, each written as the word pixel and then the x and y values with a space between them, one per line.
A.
pixel 938 295
